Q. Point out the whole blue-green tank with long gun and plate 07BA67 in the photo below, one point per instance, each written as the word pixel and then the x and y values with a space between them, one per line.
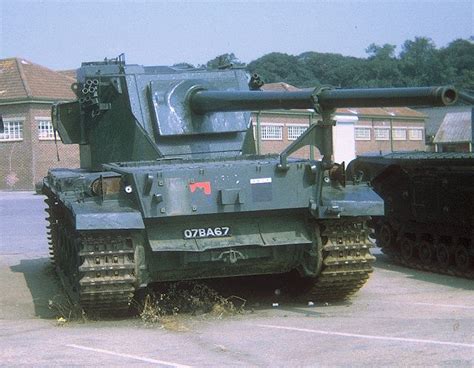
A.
pixel 170 187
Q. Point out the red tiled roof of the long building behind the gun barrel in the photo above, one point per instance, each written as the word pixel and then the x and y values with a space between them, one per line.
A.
pixel 383 113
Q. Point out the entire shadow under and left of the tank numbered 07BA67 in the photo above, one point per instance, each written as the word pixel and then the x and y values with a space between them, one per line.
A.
pixel 257 292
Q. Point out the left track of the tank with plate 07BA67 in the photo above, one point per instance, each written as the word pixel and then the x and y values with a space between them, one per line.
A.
pixel 97 269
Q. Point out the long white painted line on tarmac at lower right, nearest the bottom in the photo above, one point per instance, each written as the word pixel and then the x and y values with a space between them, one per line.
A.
pixel 370 337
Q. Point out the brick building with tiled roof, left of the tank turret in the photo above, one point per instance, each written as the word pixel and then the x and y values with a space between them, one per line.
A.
pixel 27 146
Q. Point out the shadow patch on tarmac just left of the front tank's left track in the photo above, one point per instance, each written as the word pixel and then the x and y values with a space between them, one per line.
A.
pixel 43 285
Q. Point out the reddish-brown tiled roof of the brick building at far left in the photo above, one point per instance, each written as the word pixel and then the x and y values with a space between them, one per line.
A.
pixel 21 79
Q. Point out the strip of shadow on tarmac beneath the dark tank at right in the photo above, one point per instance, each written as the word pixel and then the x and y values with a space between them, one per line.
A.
pixel 384 262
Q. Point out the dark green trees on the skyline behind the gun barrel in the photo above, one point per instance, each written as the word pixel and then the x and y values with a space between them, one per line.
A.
pixel 419 63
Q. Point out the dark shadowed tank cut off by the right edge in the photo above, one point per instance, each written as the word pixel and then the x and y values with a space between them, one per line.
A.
pixel 429 221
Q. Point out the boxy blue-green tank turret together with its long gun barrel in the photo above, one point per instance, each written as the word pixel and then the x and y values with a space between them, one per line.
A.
pixel 129 112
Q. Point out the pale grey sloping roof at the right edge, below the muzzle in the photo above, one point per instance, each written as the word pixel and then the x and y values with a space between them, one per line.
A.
pixel 455 128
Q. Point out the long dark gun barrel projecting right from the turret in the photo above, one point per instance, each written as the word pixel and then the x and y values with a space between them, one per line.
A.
pixel 206 101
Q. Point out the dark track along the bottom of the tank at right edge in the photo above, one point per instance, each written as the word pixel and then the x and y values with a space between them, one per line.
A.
pixel 393 250
